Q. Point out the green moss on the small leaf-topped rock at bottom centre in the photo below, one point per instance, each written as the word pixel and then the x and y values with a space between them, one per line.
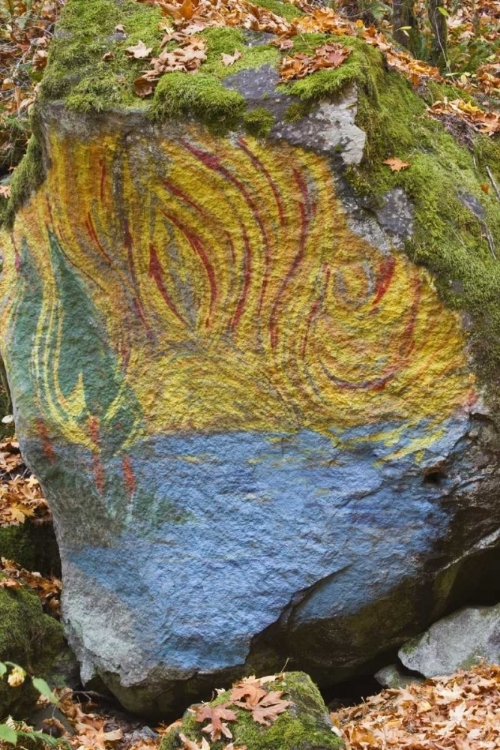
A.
pixel 304 725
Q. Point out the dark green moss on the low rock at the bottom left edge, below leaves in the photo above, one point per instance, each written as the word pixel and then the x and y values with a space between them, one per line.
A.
pixel 29 638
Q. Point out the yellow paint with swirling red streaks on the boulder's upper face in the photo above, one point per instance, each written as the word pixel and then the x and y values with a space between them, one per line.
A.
pixel 235 294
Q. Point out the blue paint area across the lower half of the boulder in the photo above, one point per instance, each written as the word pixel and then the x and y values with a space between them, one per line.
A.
pixel 262 518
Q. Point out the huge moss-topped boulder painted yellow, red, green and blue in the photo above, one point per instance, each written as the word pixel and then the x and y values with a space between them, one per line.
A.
pixel 265 432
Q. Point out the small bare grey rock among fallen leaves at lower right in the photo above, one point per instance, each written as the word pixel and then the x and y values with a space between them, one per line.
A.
pixel 456 642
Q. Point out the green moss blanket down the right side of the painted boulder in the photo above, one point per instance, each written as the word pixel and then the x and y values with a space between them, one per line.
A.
pixel 448 238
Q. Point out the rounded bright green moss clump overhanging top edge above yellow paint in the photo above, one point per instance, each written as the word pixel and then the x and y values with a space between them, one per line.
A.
pixel 180 95
